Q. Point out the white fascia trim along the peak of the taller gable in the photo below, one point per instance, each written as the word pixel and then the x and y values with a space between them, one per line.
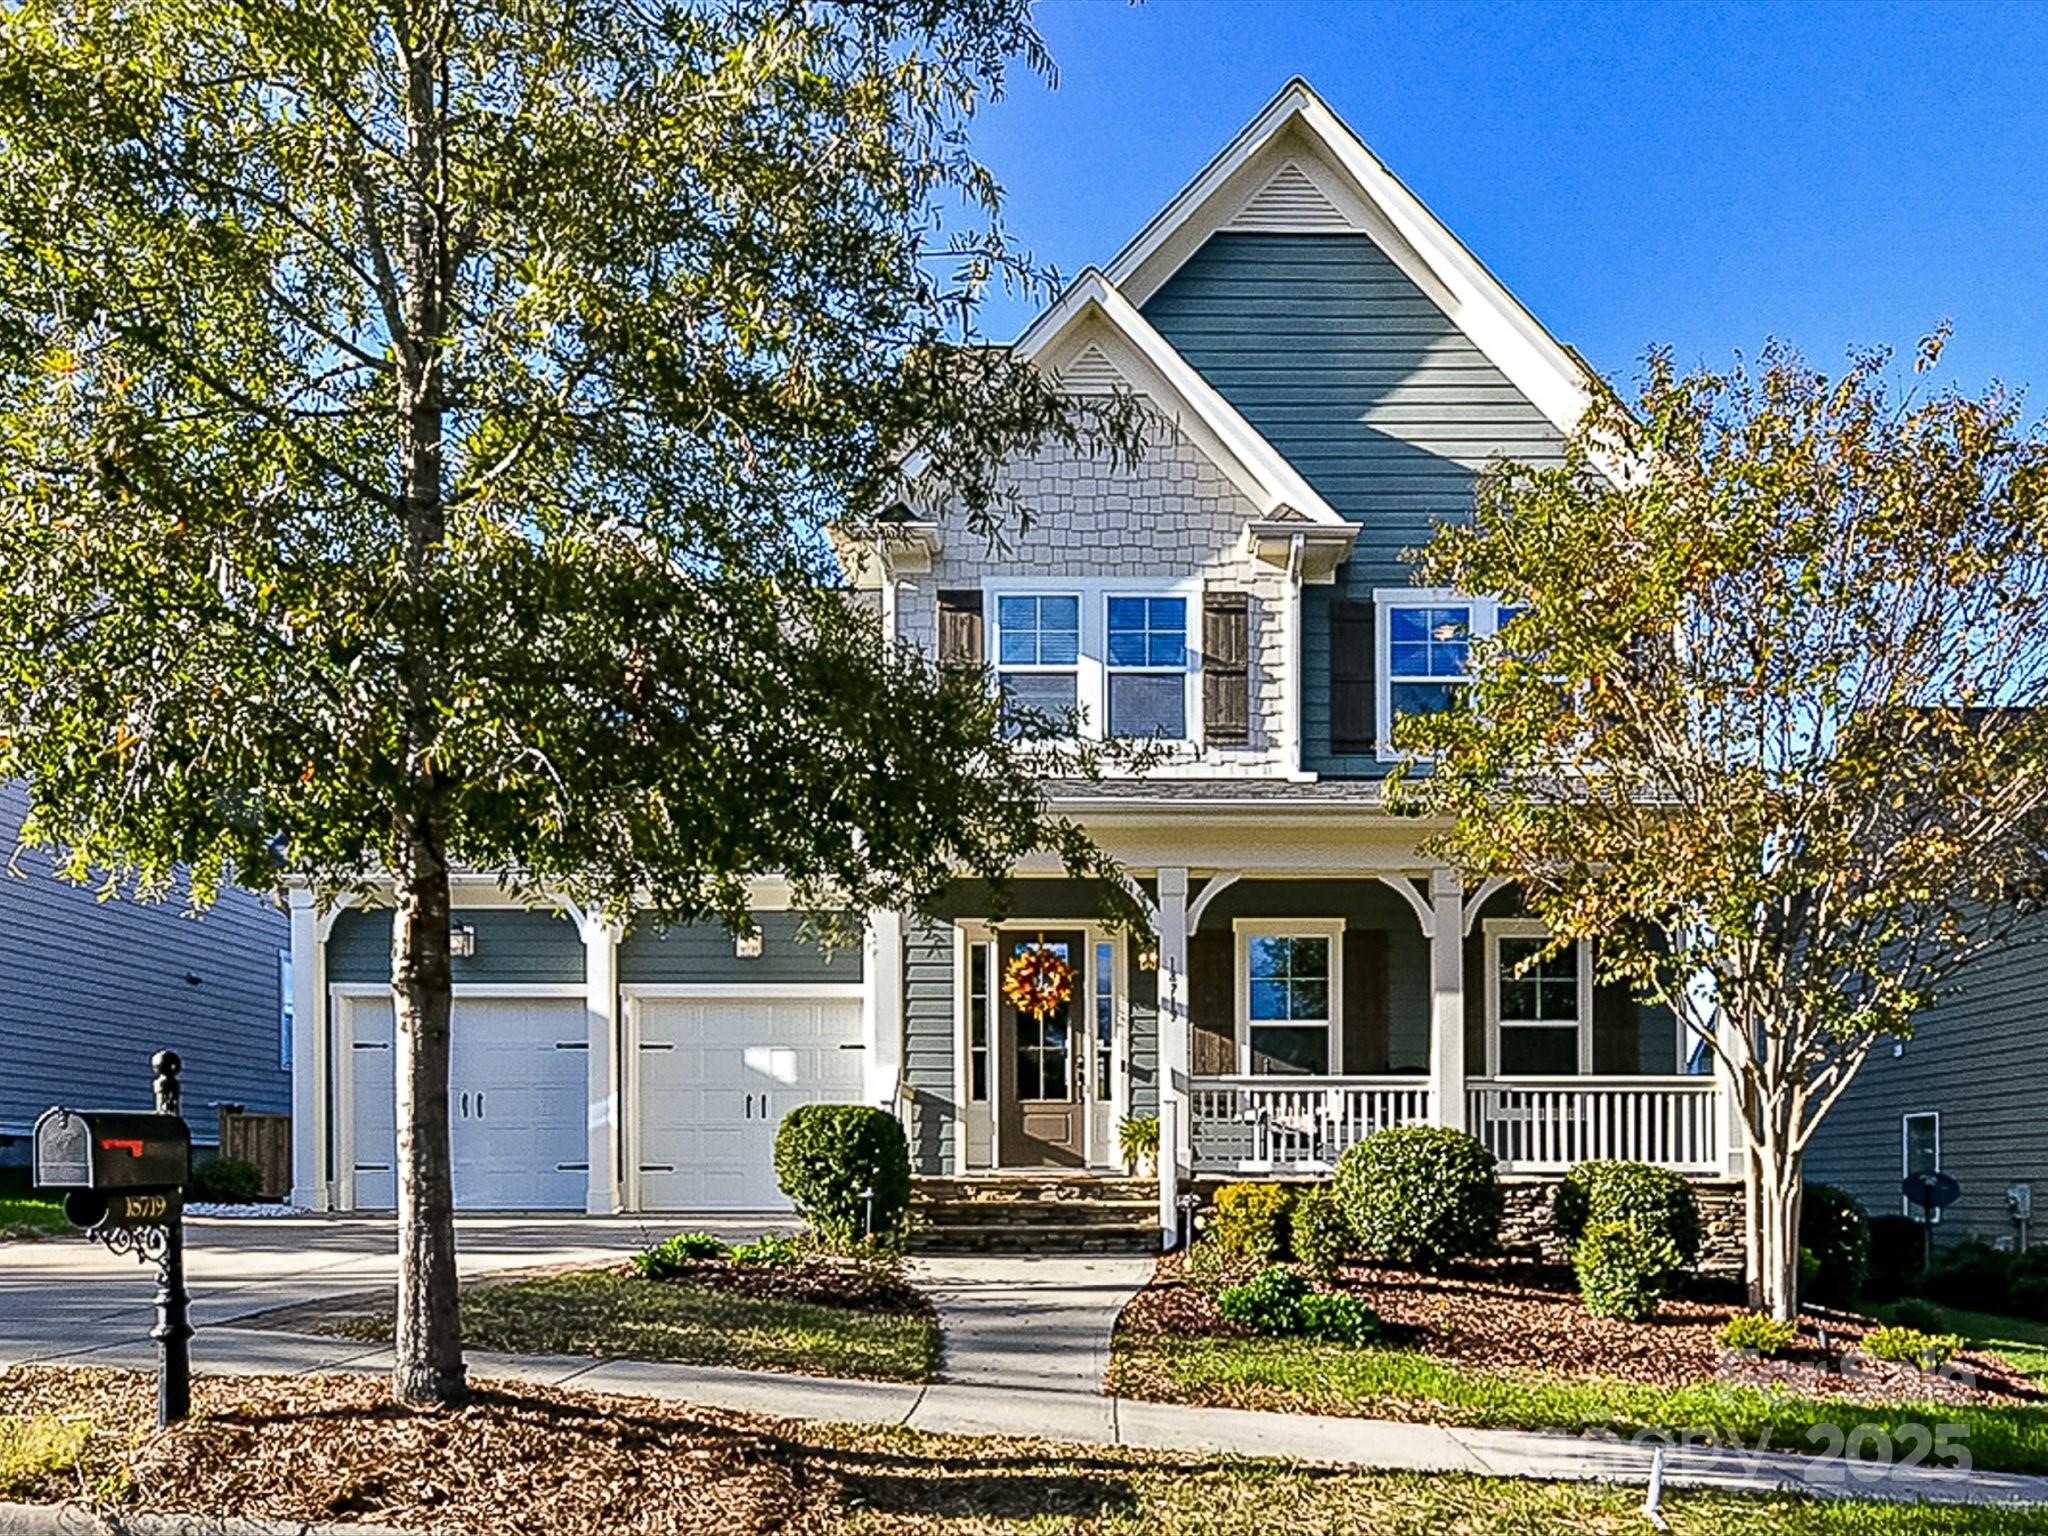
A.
pixel 1484 308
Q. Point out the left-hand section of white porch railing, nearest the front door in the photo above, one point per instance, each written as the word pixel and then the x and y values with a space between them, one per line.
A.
pixel 1287 1125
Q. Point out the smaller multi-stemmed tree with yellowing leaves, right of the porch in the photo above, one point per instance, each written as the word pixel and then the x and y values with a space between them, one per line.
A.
pixel 1768 720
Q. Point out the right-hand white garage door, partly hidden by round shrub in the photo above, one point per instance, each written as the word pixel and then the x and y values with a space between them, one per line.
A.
pixel 716 1080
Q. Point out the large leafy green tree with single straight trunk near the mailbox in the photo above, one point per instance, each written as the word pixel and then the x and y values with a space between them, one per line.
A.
pixel 423 421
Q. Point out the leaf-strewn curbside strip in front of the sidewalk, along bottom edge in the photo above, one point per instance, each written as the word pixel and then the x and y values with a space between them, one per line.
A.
pixel 531 1459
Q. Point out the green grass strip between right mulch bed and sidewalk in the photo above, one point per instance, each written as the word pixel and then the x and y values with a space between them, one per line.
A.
pixel 1304 1377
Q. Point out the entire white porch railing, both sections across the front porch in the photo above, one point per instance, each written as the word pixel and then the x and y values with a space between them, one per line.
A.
pixel 1539 1125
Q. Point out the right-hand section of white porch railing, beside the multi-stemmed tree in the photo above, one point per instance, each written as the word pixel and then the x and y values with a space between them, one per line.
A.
pixel 1547 1125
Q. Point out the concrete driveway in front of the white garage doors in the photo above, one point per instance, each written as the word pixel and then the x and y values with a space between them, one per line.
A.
pixel 69 1295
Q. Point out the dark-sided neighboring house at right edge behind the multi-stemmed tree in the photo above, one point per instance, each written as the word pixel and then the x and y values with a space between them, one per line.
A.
pixel 1959 1099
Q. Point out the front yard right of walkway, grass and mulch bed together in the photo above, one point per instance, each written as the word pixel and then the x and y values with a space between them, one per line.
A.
pixel 1496 1351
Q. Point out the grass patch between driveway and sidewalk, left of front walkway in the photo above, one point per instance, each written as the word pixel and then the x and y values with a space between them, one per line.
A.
pixel 620 1316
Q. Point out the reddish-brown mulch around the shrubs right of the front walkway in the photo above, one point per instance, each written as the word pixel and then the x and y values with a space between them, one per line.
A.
pixel 1527 1318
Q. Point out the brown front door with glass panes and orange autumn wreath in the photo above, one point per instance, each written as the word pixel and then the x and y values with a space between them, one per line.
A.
pixel 1043 1066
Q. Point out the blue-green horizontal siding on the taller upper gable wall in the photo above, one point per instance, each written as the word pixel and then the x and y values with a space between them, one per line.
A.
pixel 1367 388
